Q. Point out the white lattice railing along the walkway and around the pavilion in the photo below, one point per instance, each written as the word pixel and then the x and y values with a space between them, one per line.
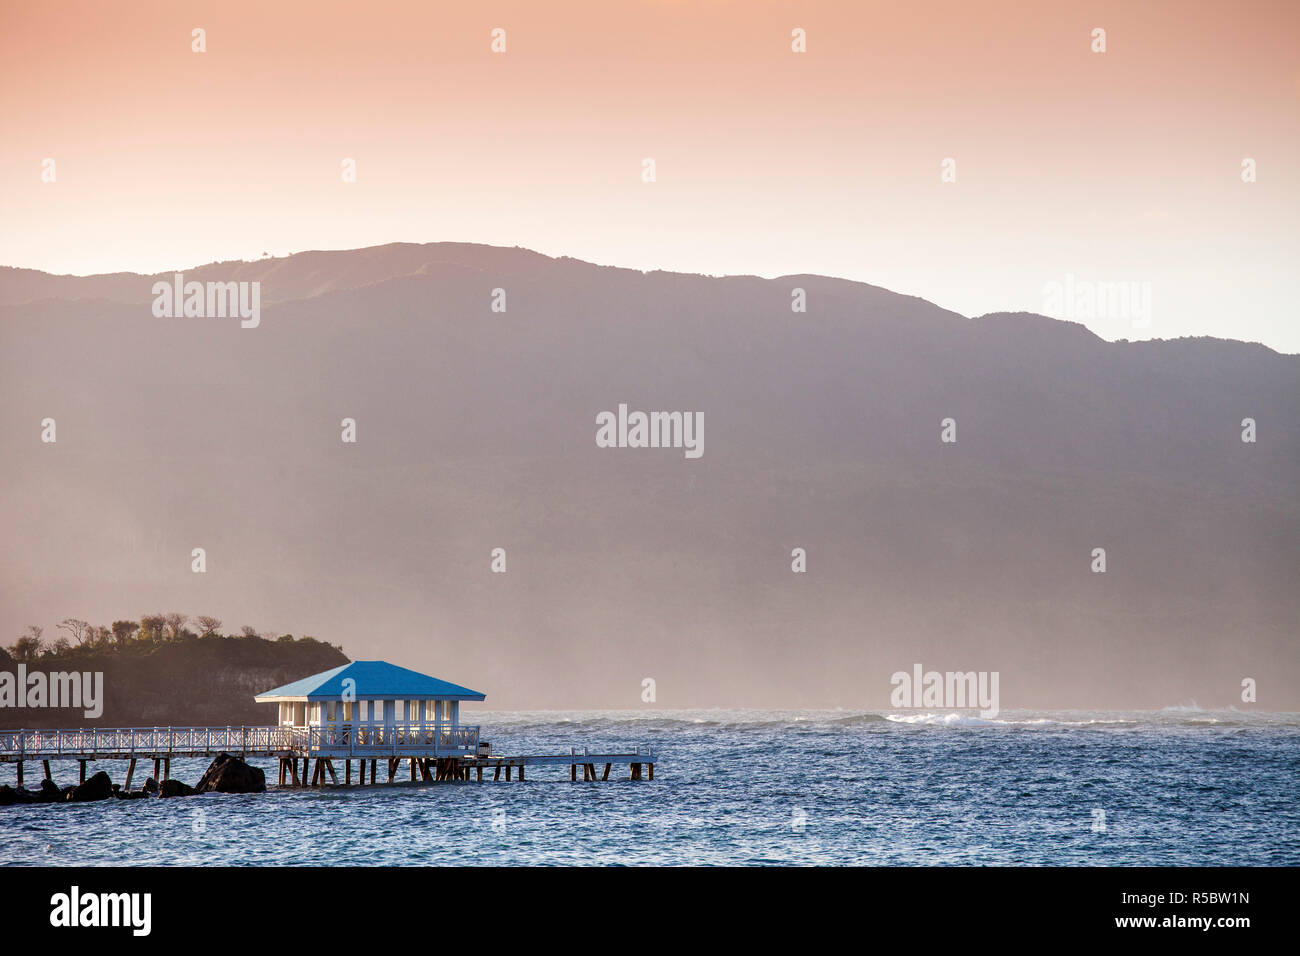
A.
pixel 328 741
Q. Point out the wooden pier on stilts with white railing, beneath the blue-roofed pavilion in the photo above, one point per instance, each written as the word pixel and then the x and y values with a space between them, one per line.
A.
pixel 307 756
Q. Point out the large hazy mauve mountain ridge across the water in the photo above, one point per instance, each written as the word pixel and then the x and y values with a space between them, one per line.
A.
pixel 476 430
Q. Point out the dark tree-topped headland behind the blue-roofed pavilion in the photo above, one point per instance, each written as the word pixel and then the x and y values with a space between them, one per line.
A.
pixel 205 682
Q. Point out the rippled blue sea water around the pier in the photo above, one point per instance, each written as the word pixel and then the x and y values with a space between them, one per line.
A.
pixel 755 788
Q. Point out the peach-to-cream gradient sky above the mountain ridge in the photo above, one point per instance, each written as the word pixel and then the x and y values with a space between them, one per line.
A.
pixel 1071 168
